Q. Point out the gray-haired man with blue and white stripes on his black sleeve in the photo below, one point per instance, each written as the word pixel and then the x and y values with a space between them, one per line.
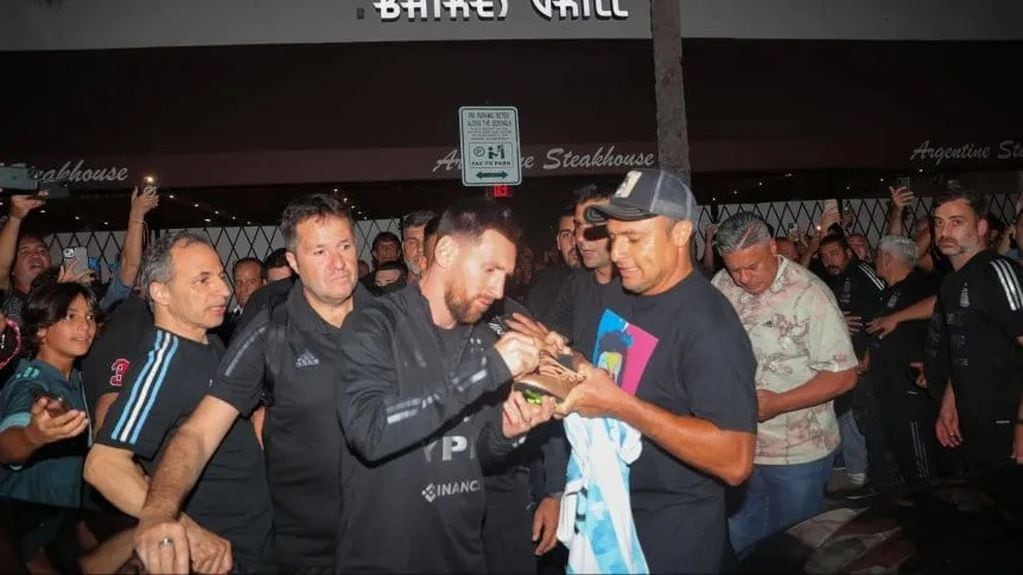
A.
pixel 187 288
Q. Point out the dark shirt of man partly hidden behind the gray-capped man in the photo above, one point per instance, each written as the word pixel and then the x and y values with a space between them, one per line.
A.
pixel 577 314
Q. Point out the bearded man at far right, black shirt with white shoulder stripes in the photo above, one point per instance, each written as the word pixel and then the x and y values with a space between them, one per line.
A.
pixel 982 307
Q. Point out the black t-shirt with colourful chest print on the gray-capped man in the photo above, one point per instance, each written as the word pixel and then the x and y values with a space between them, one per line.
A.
pixel 703 366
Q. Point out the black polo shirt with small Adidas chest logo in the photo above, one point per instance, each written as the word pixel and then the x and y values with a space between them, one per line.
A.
pixel 301 435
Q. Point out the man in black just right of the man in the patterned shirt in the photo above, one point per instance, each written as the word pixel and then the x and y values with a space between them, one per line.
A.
pixel 858 289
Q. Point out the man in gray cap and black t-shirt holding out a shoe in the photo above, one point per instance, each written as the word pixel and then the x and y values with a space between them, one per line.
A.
pixel 695 402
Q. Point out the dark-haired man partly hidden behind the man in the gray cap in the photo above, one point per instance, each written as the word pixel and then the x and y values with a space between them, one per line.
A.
pixel 596 287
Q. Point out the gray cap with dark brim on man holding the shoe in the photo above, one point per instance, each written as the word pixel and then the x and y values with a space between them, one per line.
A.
pixel 647 194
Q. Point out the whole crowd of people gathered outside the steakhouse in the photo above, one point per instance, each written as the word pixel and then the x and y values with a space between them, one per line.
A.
pixel 312 413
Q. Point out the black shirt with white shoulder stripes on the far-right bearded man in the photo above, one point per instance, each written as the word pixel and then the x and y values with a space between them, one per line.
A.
pixel 983 306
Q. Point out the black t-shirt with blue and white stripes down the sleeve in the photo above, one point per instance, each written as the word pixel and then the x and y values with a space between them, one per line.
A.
pixel 231 498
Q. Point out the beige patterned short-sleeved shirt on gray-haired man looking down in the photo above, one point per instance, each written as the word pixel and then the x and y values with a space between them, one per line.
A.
pixel 797 331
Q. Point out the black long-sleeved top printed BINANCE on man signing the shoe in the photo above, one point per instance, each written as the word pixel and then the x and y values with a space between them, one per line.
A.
pixel 418 433
